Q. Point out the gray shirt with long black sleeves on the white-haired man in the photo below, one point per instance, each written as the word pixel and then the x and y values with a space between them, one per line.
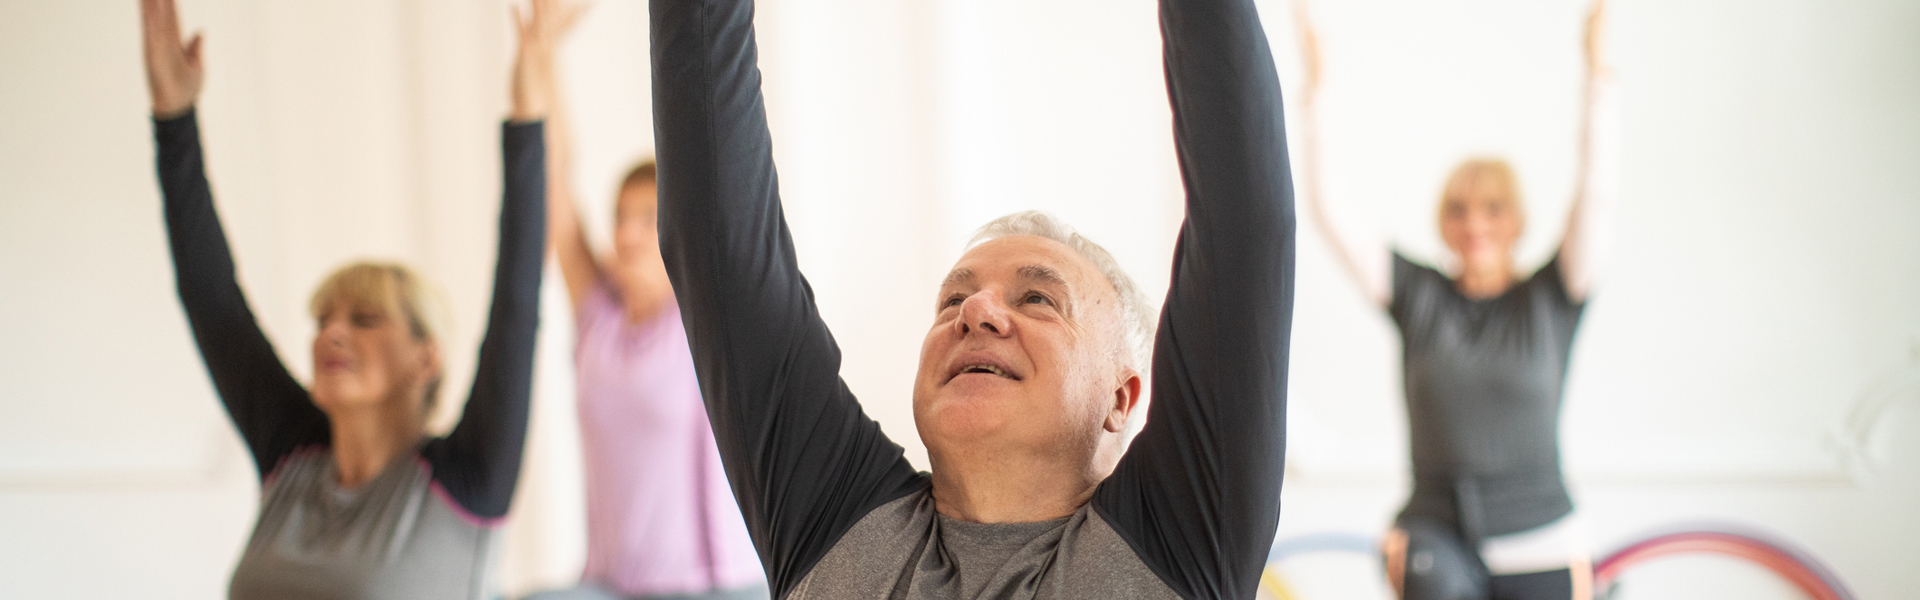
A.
pixel 832 505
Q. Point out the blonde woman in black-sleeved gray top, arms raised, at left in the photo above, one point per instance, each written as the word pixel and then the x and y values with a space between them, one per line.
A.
pixel 356 499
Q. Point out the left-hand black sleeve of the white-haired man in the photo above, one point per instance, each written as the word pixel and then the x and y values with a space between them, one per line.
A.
pixel 804 461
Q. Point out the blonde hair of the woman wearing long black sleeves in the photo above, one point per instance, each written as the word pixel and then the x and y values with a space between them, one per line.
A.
pixel 391 287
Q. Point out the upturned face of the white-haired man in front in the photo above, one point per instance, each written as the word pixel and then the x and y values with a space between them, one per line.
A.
pixel 1026 355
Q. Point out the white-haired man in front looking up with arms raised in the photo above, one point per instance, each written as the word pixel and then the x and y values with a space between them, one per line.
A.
pixel 1030 370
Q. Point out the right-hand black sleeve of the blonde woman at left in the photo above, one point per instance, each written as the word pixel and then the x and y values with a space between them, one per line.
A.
pixel 481 461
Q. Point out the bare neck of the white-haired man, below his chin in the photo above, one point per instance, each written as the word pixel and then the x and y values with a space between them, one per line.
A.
pixel 1011 489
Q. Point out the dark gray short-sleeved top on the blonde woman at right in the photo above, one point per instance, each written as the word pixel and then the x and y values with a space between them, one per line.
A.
pixel 1483 399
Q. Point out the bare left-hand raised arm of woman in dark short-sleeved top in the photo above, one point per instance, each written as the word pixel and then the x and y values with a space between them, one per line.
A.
pixel 1360 251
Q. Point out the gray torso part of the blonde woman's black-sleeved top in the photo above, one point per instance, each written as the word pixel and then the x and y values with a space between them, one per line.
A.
pixel 395 537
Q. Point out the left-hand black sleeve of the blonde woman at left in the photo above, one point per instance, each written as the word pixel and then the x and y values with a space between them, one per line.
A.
pixel 264 401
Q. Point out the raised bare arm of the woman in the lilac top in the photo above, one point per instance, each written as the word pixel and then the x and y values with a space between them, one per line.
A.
pixel 579 266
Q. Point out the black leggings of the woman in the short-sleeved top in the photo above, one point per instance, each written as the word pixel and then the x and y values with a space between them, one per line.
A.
pixel 1441 566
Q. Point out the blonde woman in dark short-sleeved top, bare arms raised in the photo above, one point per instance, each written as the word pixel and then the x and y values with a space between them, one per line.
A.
pixel 1485 357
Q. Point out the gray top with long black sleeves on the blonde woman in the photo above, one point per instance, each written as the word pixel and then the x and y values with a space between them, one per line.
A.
pixel 433 549
